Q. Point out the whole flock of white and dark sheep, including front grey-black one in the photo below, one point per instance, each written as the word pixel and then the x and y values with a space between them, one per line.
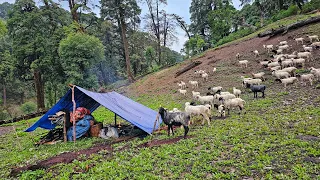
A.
pixel 283 67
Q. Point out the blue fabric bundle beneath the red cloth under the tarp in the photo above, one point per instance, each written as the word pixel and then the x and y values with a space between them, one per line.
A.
pixel 82 126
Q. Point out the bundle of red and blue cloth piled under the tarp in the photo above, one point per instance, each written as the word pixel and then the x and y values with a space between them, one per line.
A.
pixel 83 120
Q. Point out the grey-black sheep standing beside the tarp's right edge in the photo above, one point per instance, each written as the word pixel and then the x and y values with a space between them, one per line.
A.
pixel 175 119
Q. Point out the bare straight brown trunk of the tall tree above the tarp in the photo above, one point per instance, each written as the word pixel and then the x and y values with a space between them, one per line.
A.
pixel 125 45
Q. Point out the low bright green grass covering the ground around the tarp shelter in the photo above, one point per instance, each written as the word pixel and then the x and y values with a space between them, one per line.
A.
pixel 262 143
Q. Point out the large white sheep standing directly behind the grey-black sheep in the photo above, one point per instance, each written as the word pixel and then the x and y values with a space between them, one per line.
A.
pixel 198 110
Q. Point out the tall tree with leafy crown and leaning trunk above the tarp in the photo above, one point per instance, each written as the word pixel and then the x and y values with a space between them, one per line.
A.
pixel 121 11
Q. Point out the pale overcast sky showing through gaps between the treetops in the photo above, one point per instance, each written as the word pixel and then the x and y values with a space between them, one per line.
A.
pixel 180 7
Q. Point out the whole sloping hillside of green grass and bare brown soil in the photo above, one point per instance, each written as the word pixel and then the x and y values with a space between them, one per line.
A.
pixel 277 138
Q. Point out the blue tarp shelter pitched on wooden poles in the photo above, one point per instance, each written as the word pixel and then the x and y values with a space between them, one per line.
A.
pixel 129 110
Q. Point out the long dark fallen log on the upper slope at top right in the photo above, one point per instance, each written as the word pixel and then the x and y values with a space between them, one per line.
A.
pixel 283 30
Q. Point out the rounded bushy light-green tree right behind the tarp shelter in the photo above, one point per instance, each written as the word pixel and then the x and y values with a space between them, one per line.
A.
pixel 79 52
